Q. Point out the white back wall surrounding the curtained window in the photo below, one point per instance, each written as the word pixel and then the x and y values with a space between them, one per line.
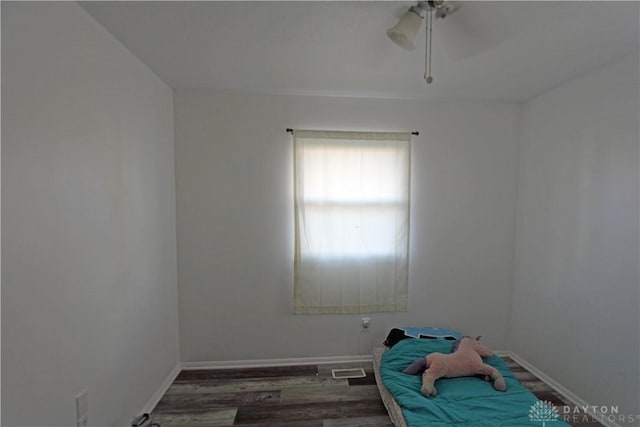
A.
pixel 235 221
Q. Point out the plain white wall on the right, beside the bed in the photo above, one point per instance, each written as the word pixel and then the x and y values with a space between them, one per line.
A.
pixel 575 299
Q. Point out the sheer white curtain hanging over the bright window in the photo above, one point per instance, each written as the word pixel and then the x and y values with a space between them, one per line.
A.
pixel 351 221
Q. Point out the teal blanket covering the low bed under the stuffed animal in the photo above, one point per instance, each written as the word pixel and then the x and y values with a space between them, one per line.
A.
pixel 463 402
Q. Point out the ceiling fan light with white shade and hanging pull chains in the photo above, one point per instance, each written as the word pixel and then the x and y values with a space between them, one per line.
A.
pixel 404 32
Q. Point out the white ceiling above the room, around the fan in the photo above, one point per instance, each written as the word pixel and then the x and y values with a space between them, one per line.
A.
pixel 487 50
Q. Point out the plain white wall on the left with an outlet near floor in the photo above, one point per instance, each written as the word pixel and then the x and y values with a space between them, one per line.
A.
pixel 89 296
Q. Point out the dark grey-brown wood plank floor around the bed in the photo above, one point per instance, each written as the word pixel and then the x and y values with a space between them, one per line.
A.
pixel 293 396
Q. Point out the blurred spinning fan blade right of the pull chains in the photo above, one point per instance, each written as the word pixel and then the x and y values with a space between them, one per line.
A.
pixel 473 28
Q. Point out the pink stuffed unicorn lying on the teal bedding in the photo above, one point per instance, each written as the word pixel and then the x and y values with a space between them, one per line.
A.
pixel 466 361
